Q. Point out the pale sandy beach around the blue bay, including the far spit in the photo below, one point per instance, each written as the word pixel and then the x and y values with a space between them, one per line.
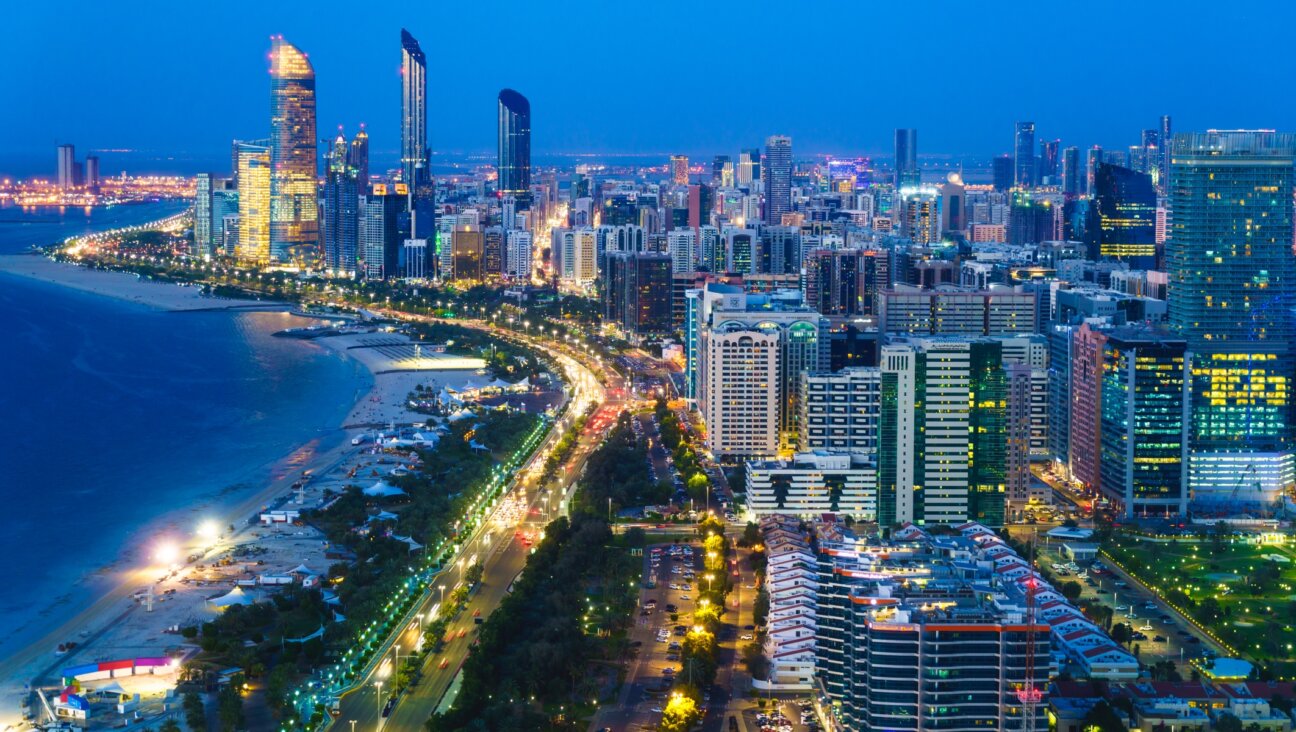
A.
pixel 116 625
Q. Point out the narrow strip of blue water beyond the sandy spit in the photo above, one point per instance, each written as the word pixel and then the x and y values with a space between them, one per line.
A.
pixel 23 229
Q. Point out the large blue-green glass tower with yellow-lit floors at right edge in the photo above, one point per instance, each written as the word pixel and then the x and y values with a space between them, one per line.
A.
pixel 1232 292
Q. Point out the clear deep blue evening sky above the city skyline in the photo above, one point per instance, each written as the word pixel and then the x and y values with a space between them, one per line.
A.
pixel 700 78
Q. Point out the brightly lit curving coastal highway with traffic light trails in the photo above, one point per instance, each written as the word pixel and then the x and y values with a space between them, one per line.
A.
pixel 502 554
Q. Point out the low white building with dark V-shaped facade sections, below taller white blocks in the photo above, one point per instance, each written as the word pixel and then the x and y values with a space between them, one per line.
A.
pixel 812 485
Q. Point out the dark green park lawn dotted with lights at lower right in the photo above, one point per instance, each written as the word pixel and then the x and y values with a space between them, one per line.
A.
pixel 1232 588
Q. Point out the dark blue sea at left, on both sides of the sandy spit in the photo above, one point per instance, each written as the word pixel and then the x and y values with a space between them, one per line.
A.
pixel 122 427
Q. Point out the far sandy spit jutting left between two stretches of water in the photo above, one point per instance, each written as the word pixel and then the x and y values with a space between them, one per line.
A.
pixel 124 286
